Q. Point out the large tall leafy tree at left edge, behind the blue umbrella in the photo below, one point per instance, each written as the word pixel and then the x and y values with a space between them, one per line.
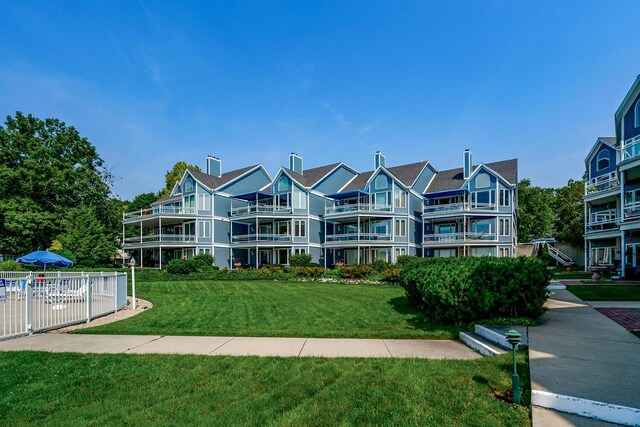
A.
pixel 46 169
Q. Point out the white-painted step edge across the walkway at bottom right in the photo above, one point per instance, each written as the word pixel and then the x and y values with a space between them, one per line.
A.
pixel 603 411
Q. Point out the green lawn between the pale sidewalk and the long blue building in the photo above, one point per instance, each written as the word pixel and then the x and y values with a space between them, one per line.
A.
pixel 279 309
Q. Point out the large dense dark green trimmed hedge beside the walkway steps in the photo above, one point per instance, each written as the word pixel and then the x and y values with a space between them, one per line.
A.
pixel 466 289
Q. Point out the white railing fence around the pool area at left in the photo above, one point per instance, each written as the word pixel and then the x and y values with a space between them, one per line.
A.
pixel 35 302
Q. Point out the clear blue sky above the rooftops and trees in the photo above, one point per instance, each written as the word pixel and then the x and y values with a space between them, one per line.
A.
pixel 152 83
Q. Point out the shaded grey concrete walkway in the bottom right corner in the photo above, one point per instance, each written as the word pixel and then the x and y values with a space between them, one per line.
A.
pixel 580 353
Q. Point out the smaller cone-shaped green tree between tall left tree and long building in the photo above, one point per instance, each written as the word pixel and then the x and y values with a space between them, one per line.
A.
pixel 86 237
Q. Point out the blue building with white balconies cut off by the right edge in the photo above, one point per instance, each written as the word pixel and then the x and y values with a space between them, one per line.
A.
pixel 612 193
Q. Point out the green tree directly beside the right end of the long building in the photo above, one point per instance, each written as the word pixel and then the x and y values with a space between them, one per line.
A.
pixel 535 211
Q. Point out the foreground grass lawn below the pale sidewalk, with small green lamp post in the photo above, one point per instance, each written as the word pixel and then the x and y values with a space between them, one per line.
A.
pixel 79 389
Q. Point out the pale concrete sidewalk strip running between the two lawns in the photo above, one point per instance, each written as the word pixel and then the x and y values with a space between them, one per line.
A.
pixel 242 346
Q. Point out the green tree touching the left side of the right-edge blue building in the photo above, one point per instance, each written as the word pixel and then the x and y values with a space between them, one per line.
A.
pixel 569 211
